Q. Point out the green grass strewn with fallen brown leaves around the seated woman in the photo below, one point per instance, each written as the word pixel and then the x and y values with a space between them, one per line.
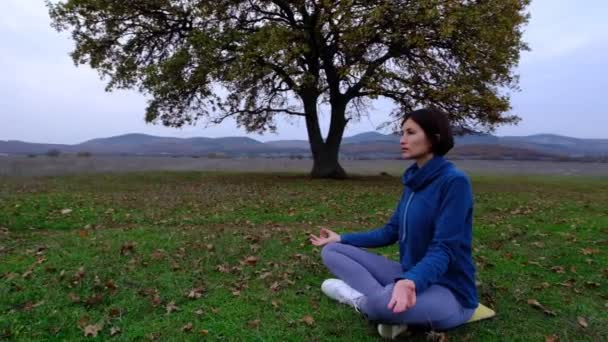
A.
pixel 134 243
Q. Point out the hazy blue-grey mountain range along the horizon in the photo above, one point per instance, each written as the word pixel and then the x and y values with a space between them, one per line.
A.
pixel 369 145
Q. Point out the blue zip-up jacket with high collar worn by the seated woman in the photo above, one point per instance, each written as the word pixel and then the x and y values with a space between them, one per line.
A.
pixel 433 224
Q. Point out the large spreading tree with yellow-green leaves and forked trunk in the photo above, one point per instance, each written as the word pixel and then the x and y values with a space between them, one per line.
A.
pixel 256 60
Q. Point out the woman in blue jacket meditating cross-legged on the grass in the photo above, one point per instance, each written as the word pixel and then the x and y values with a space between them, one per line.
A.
pixel 433 285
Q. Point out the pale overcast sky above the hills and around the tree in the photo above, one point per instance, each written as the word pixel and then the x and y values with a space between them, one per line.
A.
pixel 45 98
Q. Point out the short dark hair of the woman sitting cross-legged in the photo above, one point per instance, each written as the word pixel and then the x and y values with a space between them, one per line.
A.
pixel 436 126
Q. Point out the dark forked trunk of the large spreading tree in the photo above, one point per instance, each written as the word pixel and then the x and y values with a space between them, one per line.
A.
pixel 325 153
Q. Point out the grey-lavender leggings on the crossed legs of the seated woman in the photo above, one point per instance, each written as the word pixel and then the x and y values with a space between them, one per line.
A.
pixel 374 276
